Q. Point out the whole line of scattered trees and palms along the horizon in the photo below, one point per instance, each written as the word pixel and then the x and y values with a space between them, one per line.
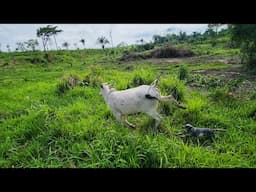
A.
pixel 242 36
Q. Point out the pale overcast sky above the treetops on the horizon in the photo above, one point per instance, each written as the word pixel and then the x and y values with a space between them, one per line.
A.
pixel 72 33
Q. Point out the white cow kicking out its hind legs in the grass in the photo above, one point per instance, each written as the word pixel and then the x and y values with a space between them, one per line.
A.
pixel 144 98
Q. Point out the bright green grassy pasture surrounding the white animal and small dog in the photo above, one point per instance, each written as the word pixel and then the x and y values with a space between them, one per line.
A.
pixel 45 122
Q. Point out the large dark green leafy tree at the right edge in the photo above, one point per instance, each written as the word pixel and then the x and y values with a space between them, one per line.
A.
pixel 244 35
